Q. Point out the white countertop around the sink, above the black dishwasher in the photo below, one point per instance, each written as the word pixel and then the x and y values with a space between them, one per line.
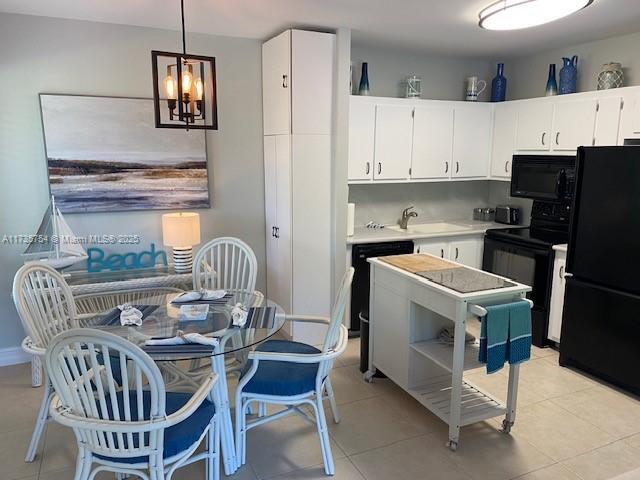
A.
pixel 371 235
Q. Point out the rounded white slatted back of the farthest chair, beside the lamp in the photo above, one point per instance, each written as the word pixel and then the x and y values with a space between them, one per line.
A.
pixel 225 263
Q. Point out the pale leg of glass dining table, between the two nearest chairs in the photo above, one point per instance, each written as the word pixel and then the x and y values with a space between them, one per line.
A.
pixel 221 400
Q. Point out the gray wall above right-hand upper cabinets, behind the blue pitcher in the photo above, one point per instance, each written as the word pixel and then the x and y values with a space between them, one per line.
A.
pixel 527 76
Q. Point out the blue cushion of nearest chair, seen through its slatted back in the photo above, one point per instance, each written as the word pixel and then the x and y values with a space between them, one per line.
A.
pixel 177 438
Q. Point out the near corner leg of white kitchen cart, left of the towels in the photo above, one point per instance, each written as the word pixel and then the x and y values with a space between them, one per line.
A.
pixel 456 374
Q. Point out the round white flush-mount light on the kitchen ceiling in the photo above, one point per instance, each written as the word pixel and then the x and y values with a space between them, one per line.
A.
pixel 517 14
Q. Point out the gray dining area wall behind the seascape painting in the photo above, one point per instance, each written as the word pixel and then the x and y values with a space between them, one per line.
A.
pixel 63 56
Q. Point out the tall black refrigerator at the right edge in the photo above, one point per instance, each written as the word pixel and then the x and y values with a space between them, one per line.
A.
pixel 601 319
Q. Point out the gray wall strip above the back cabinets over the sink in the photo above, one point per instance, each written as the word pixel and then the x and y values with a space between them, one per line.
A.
pixel 442 78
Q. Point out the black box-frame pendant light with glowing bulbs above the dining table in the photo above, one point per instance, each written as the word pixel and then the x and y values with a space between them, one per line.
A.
pixel 187 83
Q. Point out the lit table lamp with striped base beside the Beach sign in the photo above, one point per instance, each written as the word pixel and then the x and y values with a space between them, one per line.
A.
pixel 181 231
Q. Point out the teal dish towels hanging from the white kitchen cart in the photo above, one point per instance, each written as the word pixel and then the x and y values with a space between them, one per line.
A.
pixel 505 335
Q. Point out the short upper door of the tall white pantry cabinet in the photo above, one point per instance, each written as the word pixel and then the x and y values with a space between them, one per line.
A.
pixel 276 84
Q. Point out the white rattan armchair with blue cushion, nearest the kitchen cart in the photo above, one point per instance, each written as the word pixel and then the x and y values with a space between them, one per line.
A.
pixel 293 374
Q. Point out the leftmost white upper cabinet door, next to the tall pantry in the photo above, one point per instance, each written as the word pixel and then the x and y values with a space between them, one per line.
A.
pixel 362 127
